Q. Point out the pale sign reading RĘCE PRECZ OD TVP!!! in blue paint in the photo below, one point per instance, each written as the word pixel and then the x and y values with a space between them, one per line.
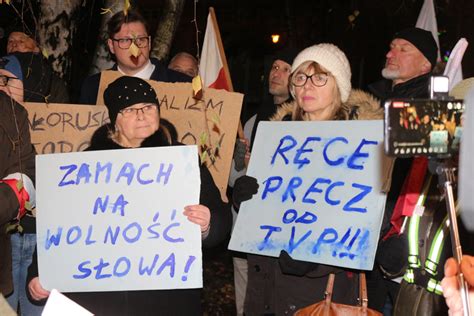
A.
pixel 319 195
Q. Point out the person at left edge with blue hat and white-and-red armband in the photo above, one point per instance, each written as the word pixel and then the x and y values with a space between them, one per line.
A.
pixel 17 193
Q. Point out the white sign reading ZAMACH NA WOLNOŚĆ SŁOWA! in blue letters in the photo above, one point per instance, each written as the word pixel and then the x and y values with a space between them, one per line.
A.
pixel 112 220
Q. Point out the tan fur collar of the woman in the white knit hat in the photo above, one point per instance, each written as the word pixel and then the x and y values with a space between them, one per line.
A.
pixel 360 106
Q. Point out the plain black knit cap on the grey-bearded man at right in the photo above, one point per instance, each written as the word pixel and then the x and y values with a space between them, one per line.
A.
pixel 423 40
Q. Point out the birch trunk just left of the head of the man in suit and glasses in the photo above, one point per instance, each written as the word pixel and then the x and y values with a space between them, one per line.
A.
pixel 102 59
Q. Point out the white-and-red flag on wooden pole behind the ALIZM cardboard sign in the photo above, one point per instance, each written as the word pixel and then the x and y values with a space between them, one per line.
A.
pixel 213 65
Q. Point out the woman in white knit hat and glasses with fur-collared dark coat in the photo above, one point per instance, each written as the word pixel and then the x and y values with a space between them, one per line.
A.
pixel 320 83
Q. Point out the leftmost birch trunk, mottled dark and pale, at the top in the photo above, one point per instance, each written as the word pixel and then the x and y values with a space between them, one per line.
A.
pixel 56 31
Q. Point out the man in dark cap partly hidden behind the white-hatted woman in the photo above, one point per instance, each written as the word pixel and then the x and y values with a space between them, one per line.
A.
pixel 278 90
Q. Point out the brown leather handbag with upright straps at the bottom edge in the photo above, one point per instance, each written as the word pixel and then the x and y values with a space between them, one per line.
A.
pixel 328 308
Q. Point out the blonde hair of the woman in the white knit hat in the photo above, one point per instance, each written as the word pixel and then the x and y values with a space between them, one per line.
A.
pixel 336 104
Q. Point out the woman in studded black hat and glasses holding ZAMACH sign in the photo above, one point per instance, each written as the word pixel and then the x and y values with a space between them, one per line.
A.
pixel 136 123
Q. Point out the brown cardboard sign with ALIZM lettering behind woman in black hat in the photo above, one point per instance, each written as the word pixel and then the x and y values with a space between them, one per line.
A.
pixel 211 123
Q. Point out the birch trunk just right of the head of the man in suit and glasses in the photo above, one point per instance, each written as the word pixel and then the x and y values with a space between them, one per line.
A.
pixel 166 29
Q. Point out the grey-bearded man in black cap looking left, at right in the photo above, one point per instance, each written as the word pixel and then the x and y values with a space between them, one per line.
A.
pixel 410 61
